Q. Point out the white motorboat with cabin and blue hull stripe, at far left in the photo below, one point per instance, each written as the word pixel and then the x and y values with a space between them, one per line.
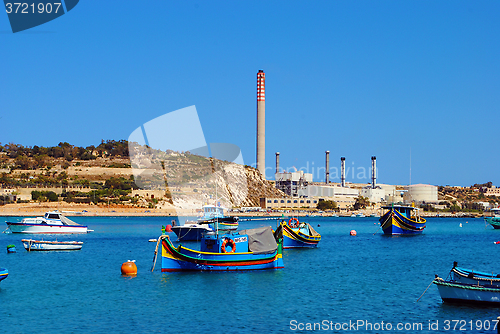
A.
pixel 51 222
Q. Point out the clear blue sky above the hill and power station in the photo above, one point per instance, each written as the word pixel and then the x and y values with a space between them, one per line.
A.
pixel 357 78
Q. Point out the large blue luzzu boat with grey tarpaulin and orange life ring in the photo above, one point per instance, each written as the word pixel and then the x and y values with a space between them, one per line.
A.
pixel 254 249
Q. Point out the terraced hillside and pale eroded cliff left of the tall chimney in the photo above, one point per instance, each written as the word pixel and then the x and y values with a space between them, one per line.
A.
pixel 178 180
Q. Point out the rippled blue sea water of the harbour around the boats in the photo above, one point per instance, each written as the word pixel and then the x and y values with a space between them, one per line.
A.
pixel 360 283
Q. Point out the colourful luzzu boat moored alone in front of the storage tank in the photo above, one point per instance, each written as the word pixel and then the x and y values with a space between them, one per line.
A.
pixel 402 220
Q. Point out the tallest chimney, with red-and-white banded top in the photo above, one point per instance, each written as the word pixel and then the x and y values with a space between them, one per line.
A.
pixel 261 122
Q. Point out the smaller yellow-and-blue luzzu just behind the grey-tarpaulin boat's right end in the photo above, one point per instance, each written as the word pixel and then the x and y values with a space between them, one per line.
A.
pixel 296 234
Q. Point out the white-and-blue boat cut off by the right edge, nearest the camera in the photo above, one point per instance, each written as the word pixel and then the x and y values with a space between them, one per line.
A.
pixel 455 292
